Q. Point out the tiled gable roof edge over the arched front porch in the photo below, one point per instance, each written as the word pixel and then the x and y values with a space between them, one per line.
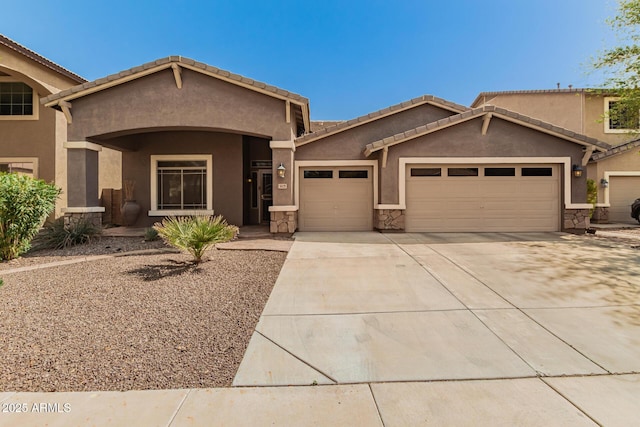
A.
pixel 108 81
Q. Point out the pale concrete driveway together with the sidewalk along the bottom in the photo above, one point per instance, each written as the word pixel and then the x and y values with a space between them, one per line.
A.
pixel 415 329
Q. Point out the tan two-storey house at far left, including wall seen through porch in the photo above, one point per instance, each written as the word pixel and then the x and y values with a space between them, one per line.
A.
pixel 32 137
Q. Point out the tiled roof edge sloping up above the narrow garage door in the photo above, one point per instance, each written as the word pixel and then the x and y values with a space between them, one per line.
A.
pixel 425 99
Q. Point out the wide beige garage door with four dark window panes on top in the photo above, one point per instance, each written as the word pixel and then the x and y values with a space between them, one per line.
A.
pixel 483 198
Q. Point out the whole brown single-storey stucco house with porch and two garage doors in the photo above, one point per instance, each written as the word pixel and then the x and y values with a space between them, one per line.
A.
pixel 197 139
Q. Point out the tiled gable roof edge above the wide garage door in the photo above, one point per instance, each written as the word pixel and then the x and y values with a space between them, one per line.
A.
pixel 478 112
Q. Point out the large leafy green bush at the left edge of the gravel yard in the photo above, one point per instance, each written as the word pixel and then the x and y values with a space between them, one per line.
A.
pixel 25 203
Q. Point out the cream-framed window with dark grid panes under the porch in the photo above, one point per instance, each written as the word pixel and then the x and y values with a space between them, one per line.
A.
pixel 181 184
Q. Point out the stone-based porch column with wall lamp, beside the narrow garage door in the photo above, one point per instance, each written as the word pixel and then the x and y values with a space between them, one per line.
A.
pixel 283 213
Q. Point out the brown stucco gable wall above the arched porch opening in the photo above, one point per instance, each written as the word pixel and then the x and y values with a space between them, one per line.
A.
pixel 154 101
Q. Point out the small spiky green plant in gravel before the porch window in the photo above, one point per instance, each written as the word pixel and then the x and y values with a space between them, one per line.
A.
pixel 195 234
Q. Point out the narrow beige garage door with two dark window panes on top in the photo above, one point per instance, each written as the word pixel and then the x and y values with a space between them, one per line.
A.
pixel 336 199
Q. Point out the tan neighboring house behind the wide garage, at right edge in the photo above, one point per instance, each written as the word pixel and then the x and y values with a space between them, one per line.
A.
pixel 585 111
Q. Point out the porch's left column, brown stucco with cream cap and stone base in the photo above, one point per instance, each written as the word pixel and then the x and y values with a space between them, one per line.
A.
pixel 82 183
